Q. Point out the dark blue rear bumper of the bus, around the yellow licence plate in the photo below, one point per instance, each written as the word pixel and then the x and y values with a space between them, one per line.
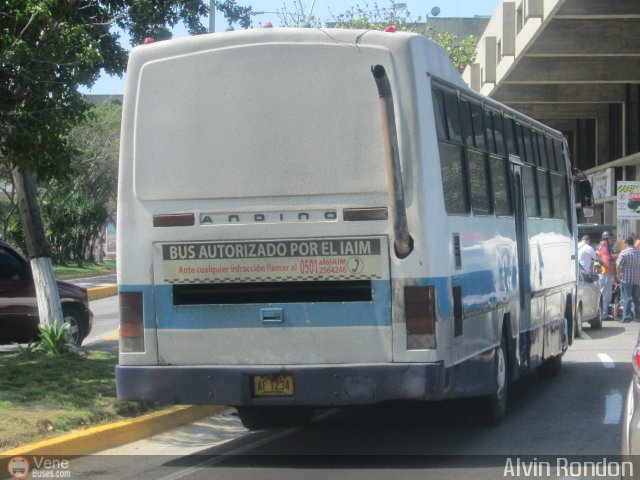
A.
pixel 326 385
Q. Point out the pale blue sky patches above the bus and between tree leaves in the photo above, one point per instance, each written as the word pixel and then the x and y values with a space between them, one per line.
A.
pixel 323 10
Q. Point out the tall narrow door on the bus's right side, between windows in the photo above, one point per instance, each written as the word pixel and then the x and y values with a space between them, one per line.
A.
pixel 522 243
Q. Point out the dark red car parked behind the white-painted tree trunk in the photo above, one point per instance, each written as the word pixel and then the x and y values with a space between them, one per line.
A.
pixel 18 306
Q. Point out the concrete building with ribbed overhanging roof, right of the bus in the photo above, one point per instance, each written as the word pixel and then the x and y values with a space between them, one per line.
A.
pixel 574 65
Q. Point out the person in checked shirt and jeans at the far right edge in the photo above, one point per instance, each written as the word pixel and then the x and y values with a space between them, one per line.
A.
pixel 628 271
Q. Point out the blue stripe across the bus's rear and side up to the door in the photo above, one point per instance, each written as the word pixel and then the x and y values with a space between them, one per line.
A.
pixel 482 291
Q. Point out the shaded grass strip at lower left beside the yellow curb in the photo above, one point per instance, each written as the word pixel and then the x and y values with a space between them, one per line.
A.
pixel 43 396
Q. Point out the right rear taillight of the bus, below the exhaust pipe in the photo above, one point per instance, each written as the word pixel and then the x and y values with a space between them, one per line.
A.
pixel 420 316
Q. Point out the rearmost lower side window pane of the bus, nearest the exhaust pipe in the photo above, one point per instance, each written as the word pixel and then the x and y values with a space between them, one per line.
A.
pixel 454 181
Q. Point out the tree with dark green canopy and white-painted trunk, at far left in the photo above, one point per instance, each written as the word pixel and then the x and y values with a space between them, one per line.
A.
pixel 49 49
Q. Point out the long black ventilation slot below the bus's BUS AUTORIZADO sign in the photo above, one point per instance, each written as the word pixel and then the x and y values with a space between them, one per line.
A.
pixel 272 292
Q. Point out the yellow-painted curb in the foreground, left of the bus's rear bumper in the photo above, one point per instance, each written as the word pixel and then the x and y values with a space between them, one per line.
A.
pixel 95 439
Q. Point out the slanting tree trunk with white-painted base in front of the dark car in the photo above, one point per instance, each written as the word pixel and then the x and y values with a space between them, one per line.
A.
pixel 49 308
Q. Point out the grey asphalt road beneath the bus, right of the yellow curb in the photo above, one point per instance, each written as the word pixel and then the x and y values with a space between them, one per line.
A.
pixel 578 413
